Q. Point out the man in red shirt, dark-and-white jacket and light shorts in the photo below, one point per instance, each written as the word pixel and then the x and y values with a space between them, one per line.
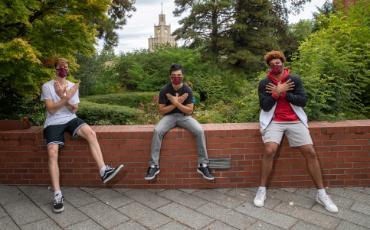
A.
pixel 282 98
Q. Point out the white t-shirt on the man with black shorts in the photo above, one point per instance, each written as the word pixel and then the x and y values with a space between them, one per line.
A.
pixel 63 115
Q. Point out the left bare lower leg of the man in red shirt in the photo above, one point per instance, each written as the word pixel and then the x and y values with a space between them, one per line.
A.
pixel 267 161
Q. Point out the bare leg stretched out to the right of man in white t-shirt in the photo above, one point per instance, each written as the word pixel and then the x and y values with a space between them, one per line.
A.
pixel 90 136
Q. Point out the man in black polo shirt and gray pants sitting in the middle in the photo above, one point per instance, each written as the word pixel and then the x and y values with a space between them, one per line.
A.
pixel 176 105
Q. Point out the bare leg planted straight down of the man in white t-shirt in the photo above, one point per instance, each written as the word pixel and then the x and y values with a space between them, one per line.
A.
pixel 53 166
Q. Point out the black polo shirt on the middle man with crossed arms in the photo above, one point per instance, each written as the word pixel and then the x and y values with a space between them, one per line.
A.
pixel 169 89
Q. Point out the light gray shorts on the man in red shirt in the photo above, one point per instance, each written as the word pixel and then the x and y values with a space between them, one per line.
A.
pixel 296 132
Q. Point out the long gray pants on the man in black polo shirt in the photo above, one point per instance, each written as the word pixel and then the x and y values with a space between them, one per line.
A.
pixel 187 122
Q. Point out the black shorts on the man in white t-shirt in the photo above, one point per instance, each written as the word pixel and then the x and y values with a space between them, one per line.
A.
pixel 54 134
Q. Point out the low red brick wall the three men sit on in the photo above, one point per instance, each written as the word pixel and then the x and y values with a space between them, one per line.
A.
pixel 343 149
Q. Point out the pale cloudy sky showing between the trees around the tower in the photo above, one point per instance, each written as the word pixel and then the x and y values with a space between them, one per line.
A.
pixel 140 26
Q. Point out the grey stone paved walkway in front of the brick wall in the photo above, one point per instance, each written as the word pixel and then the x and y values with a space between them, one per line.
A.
pixel 28 207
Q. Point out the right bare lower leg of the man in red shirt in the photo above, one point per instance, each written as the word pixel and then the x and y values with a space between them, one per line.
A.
pixel 313 164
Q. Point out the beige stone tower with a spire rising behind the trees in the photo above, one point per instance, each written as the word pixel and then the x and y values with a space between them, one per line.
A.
pixel 162 34
